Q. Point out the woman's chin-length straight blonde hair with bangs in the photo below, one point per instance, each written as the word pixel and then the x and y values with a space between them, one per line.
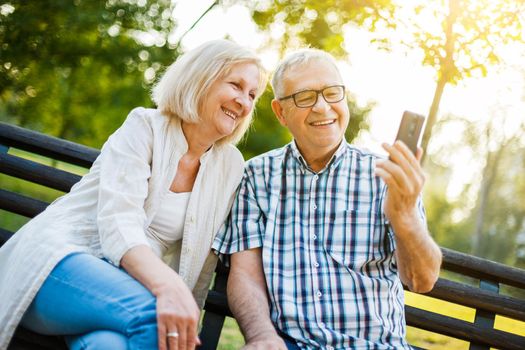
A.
pixel 181 91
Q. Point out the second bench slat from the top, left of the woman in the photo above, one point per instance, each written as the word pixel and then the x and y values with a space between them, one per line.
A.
pixel 38 173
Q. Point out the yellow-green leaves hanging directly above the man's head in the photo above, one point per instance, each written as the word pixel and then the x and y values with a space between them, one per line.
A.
pixel 318 23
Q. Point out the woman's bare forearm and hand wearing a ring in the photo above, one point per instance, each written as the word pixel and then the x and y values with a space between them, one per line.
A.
pixel 177 311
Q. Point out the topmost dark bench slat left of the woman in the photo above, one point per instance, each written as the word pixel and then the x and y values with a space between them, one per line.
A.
pixel 52 147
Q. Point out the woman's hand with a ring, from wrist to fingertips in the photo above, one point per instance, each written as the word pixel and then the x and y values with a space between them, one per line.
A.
pixel 177 315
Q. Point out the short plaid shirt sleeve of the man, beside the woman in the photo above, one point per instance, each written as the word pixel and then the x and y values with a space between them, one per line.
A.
pixel 244 226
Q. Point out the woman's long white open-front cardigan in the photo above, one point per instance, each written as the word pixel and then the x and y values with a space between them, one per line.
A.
pixel 109 210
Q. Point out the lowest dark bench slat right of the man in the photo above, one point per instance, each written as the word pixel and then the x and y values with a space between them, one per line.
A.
pixel 452 327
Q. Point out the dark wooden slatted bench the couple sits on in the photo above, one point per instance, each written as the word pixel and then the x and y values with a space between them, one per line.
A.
pixel 483 296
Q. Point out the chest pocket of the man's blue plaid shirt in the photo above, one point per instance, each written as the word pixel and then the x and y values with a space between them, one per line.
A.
pixel 359 240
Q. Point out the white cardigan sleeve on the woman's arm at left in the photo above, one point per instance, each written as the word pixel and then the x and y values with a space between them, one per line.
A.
pixel 124 172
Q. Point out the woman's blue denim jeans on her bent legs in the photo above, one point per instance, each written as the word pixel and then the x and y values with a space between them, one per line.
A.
pixel 95 305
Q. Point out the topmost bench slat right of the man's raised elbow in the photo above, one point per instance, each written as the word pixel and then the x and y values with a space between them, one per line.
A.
pixel 482 268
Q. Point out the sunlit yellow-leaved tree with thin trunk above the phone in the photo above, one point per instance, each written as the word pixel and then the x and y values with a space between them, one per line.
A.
pixel 472 35
